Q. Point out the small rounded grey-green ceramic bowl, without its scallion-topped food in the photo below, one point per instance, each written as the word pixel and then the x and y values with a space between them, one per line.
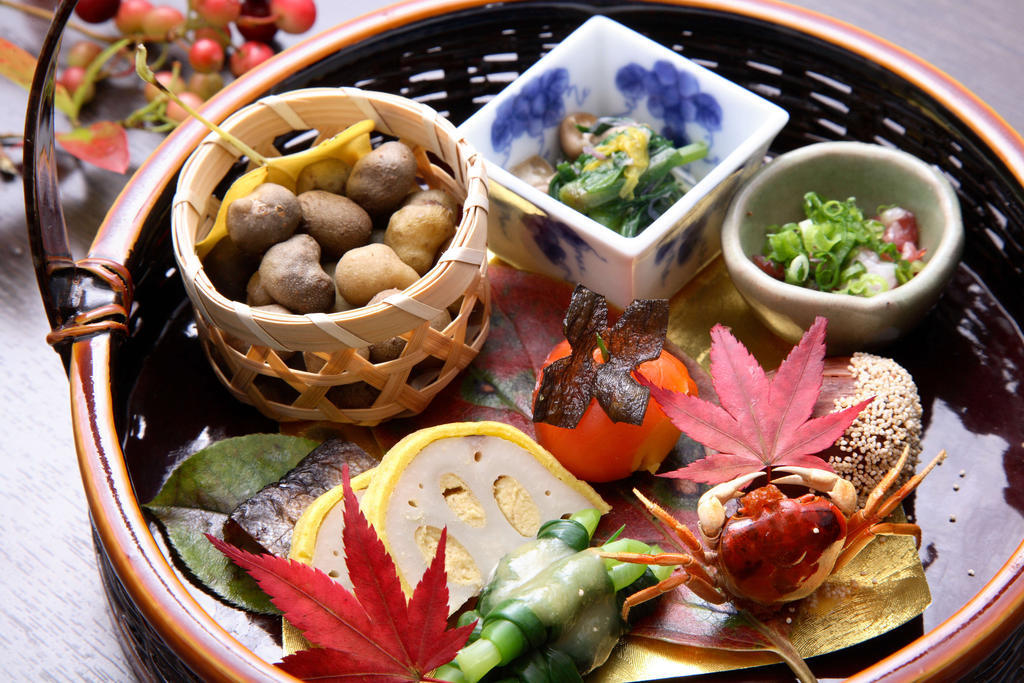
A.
pixel 876 177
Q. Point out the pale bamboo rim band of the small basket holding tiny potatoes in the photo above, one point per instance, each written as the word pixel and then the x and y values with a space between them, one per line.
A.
pixel 322 109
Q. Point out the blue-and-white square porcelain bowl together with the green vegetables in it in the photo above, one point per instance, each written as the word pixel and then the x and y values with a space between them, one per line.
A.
pixel 621 222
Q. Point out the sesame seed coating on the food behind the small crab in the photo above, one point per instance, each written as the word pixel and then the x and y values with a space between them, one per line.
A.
pixel 891 423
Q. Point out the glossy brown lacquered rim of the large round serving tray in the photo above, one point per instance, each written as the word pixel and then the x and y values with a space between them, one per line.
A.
pixel 211 653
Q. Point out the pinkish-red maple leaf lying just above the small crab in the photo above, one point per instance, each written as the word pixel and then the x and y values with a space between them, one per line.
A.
pixel 761 422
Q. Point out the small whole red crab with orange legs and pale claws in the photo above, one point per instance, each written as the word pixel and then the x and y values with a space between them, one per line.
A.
pixel 776 549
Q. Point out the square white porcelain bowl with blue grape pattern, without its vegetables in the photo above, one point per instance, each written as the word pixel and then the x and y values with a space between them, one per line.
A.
pixel 606 69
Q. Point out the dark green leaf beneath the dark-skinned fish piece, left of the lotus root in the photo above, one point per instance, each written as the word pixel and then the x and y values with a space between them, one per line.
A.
pixel 202 492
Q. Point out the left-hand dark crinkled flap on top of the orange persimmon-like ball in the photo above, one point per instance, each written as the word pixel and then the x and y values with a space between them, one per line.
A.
pixel 568 385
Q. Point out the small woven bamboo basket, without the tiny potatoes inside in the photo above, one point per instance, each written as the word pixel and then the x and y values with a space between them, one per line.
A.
pixel 310 367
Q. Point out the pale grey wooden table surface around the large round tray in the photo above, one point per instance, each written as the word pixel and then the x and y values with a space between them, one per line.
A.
pixel 55 623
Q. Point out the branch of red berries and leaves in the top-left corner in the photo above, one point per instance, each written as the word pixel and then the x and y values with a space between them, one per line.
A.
pixel 194 50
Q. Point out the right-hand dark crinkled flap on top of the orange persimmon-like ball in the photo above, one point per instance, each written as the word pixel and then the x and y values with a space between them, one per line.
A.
pixel 636 338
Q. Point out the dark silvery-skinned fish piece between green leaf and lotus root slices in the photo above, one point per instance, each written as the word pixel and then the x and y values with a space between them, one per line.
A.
pixel 265 523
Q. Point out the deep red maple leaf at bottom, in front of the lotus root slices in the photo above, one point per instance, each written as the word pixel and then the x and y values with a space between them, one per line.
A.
pixel 371 633
